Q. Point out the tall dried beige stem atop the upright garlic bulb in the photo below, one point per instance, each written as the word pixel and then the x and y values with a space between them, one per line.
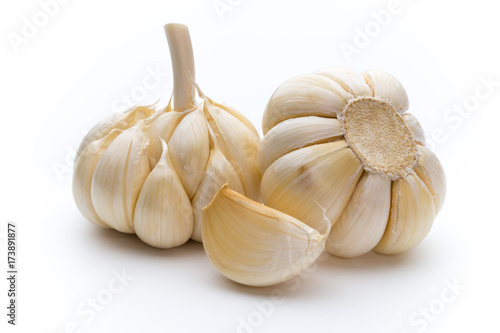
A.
pixel 181 54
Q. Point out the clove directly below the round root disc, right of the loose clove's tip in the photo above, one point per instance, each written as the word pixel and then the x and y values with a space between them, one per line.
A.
pixel 363 221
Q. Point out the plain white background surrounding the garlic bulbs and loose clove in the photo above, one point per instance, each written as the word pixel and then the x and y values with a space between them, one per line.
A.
pixel 75 70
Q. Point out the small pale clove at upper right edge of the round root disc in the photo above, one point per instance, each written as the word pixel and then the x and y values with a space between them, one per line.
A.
pixel 388 88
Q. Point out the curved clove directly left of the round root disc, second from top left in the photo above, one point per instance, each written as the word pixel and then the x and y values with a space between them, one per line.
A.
pixel 295 133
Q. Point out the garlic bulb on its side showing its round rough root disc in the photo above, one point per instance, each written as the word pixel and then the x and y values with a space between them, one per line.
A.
pixel 343 140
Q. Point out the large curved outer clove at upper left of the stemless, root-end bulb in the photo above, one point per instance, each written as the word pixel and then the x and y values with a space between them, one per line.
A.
pixel 305 95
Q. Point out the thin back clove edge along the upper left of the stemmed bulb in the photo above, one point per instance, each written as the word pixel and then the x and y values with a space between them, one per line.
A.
pixel 121 121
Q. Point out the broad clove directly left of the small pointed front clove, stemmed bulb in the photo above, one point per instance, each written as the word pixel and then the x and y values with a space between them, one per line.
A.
pixel 119 176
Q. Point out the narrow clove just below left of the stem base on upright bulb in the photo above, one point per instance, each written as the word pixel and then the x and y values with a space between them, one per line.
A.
pixel 161 129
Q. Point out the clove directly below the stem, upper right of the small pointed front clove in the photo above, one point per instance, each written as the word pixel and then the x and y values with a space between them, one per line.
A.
pixel 189 150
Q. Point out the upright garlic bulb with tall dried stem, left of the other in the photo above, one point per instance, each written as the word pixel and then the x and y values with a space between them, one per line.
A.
pixel 150 171
